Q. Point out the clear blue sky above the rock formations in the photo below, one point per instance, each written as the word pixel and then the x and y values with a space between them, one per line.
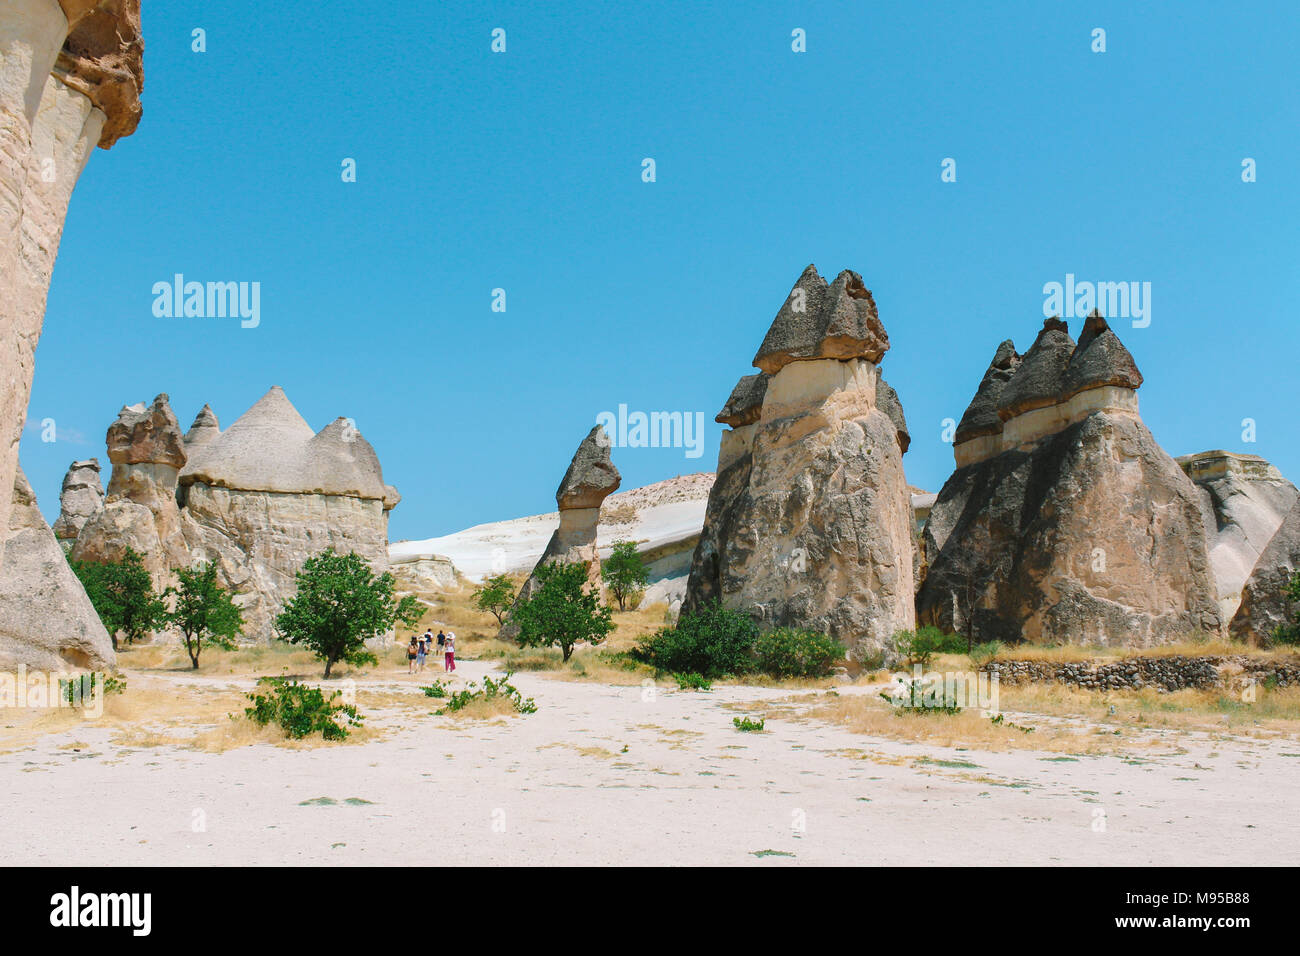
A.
pixel 523 171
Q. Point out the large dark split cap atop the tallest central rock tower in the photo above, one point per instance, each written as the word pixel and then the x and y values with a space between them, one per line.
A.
pixel 824 322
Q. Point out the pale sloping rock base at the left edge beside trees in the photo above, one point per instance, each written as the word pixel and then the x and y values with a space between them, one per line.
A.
pixel 46 620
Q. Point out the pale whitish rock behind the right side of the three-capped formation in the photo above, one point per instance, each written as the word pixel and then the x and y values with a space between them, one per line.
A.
pixel 1245 501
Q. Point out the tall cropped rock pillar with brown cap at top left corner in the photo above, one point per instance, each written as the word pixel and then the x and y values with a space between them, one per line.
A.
pixel 71 77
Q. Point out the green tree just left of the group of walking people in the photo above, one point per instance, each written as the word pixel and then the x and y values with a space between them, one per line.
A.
pixel 340 605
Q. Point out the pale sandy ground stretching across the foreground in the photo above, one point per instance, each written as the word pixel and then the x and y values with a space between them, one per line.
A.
pixel 608 775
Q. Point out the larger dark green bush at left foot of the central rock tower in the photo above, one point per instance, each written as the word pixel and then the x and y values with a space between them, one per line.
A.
pixel 713 642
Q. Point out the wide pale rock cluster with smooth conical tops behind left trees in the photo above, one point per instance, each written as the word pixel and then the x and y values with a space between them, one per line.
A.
pixel 258 499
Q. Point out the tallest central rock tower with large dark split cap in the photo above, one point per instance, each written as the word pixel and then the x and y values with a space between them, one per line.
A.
pixel 811 522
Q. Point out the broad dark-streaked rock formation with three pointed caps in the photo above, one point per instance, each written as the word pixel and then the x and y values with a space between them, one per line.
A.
pixel 1065 522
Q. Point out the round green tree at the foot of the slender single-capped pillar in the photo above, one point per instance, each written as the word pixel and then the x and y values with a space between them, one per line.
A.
pixel 562 612
